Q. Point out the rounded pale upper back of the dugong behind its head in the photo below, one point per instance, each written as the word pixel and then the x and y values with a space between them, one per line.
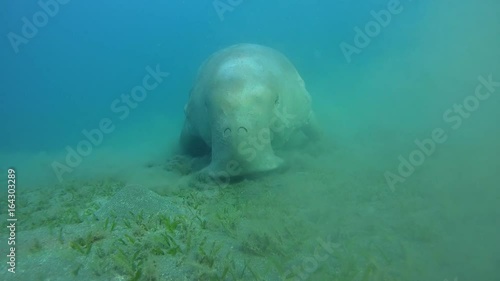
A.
pixel 244 65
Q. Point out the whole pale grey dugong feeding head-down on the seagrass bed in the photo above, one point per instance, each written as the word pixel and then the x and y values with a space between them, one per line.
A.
pixel 246 101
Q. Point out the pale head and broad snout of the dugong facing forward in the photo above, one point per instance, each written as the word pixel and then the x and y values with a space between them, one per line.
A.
pixel 241 110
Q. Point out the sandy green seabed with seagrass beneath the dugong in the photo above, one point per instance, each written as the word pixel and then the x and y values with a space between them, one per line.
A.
pixel 330 216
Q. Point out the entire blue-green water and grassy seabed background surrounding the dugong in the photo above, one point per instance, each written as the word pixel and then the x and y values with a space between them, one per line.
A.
pixel 403 186
